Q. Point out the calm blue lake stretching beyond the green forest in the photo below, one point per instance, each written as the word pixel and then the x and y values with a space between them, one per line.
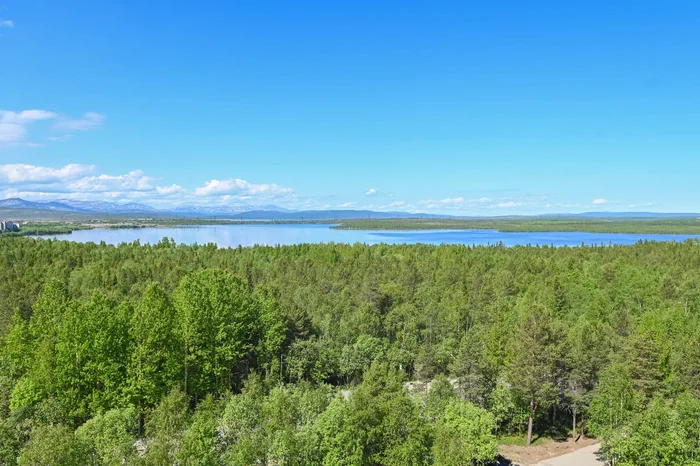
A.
pixel 249 235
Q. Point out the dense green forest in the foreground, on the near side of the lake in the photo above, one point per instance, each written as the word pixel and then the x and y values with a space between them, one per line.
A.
pixel 300 355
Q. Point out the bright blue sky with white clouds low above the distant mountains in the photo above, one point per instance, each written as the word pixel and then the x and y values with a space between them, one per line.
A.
pixel 464 108
